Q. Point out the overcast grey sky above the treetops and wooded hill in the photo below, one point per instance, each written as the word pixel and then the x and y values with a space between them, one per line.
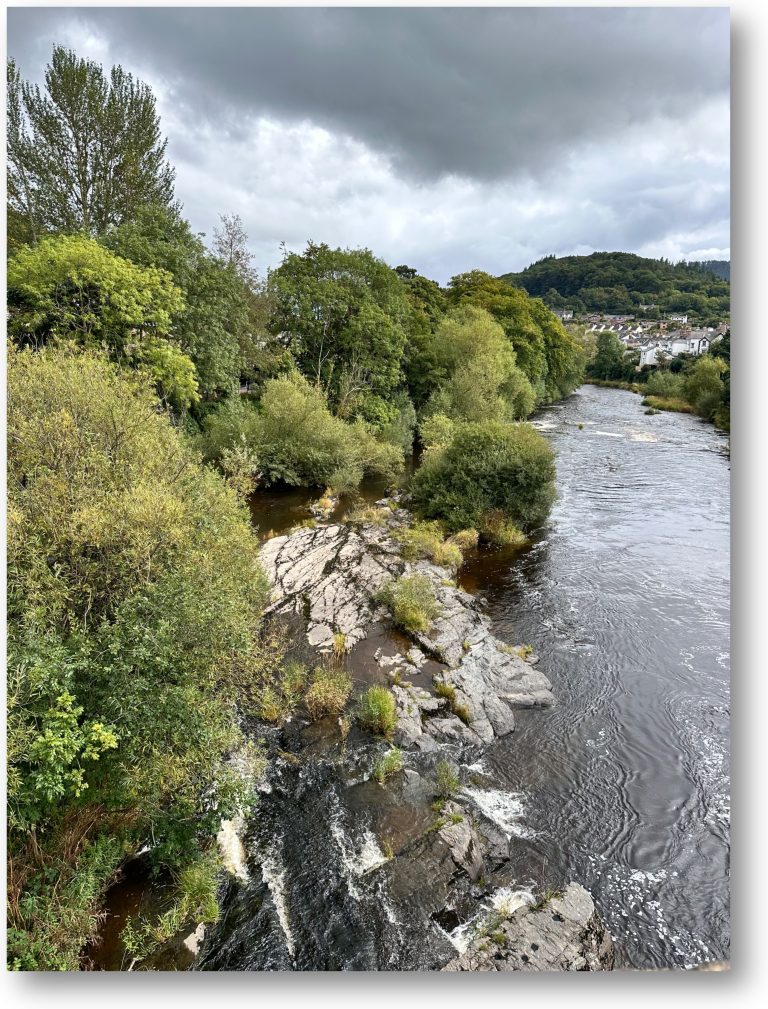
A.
pixel 446 139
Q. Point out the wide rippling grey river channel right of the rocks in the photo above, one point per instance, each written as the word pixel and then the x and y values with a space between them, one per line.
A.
pixel 625 597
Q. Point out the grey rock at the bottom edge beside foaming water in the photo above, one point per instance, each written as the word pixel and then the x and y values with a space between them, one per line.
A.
pixel 566 935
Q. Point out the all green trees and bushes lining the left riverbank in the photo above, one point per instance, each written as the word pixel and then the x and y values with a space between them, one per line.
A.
pixel 155 383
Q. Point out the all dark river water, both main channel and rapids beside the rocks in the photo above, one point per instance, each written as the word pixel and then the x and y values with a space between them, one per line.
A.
pixel 622 787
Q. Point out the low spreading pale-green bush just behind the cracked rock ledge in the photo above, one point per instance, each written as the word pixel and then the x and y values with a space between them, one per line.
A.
pixel 295 439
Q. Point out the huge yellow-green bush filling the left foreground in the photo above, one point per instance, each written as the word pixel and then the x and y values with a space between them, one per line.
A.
pixel 135 595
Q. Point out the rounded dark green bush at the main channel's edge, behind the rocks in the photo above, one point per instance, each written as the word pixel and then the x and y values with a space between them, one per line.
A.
pixel 487 468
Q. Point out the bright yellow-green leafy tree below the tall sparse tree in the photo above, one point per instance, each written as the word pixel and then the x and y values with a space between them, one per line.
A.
pixel 71 289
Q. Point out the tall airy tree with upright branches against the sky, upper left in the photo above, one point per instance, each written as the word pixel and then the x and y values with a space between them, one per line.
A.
pixel 84 154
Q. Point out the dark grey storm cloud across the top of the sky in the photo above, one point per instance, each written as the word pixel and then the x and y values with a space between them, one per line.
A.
pixel 483 93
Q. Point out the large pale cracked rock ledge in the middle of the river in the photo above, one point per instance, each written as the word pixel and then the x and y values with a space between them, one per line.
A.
pixel 330 574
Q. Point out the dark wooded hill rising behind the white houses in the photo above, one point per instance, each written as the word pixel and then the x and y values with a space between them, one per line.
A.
pixel 622 282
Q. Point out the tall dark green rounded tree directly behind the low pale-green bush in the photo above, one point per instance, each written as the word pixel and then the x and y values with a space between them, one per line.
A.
pixel 344 313
